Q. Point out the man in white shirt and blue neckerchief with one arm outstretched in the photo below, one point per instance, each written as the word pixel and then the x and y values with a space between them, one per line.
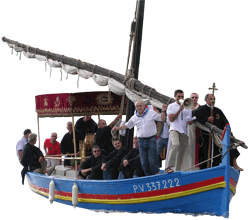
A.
pixel 145 119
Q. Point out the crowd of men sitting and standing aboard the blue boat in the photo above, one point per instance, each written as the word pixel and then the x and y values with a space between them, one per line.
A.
pixel 172 130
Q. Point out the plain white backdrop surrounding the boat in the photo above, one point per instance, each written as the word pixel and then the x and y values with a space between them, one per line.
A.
pixel 186 45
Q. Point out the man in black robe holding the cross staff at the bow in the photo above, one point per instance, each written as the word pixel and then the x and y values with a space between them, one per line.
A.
pixel 203 115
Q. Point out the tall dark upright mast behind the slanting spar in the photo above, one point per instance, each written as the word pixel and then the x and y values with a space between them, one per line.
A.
pixel 135 62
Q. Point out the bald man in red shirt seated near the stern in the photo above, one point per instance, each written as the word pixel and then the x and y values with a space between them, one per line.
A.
pixel 52 147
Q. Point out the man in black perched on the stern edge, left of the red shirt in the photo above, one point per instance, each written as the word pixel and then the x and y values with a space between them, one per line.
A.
pixel 33 159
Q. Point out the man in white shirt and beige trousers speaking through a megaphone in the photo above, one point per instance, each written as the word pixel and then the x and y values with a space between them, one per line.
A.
pixel 178 132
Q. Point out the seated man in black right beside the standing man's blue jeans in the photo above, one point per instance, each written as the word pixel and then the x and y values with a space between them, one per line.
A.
pixel 131 165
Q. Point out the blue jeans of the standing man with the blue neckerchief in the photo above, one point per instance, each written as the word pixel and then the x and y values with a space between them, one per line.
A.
pixel 148 157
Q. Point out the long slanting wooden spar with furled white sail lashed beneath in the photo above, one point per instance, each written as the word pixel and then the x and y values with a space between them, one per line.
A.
pixel 138 86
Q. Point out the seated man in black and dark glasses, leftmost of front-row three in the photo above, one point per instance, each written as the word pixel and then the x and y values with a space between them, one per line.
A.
pixel 91 168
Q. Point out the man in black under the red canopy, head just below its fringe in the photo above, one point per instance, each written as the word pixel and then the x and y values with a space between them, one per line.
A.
pixel 86 125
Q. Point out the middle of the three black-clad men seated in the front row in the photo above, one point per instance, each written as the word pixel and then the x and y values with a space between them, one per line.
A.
pixel 111 163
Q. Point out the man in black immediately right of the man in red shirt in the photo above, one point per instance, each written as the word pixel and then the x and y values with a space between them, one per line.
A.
pixel 67 143
